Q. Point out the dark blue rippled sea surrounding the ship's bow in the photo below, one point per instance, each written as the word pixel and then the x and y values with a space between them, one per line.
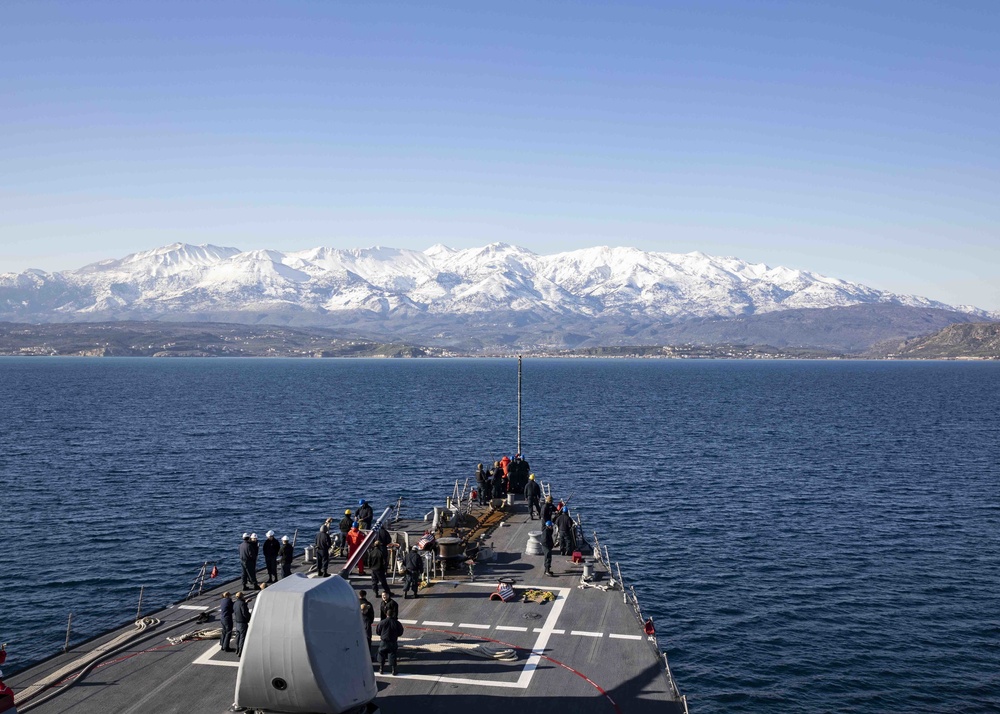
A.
pixel 810 536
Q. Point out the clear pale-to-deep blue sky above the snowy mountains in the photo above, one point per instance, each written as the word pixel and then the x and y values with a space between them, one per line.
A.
pixel 859 140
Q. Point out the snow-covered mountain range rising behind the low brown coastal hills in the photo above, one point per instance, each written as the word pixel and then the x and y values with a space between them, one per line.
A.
pixel 503 283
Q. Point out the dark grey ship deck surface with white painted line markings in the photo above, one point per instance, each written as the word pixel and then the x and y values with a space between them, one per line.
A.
pixel 586 650
